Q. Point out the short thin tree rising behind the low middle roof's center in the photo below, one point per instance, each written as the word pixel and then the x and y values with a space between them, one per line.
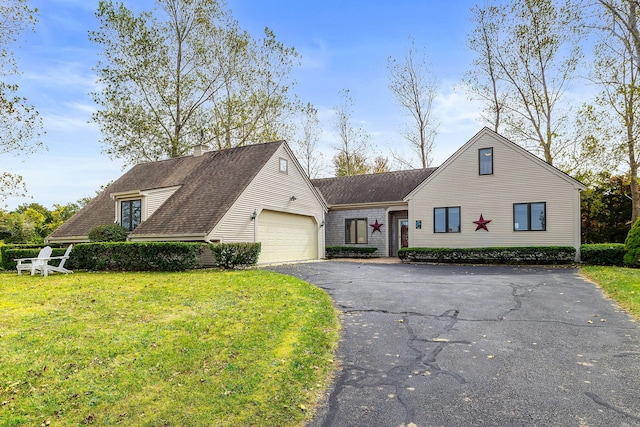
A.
pixel 351 158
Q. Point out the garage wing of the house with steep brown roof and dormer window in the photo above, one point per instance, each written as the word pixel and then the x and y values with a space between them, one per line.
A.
pixel 246 194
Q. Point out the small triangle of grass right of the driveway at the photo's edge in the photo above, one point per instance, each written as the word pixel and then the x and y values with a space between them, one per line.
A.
pixel 621 284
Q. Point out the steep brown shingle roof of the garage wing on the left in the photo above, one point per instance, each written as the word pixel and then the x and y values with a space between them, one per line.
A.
pixel 210 184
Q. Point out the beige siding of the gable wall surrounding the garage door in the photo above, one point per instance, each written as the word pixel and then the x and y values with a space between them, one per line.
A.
pixel 271 190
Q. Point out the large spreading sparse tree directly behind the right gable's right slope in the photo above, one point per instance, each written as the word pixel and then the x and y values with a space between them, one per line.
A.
pixel 528 51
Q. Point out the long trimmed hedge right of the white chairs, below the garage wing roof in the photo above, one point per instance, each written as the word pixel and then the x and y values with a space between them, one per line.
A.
pixel 136 256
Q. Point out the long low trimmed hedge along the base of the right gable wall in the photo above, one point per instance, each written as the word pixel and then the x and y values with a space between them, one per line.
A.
pixel 506 255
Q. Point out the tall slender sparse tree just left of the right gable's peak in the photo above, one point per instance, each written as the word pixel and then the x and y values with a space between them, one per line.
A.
pixel 415 89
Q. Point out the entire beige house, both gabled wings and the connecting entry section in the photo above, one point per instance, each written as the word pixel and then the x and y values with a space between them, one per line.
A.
pixel 489 193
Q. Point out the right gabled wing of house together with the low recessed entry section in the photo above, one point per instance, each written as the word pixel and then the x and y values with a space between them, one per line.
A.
pixel 489 193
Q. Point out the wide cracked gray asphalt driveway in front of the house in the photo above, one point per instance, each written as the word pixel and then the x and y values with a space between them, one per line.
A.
pixel 440 345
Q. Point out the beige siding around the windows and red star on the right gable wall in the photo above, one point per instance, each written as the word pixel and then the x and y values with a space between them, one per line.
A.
pixel 516 178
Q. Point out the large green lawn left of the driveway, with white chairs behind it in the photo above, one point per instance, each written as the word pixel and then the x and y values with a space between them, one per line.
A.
pixel 163 349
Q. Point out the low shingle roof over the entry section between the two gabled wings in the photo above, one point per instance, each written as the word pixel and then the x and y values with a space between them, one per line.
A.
pixel 373 188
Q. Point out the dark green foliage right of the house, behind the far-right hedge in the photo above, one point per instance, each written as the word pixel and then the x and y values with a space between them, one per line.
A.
pixel 606 209
